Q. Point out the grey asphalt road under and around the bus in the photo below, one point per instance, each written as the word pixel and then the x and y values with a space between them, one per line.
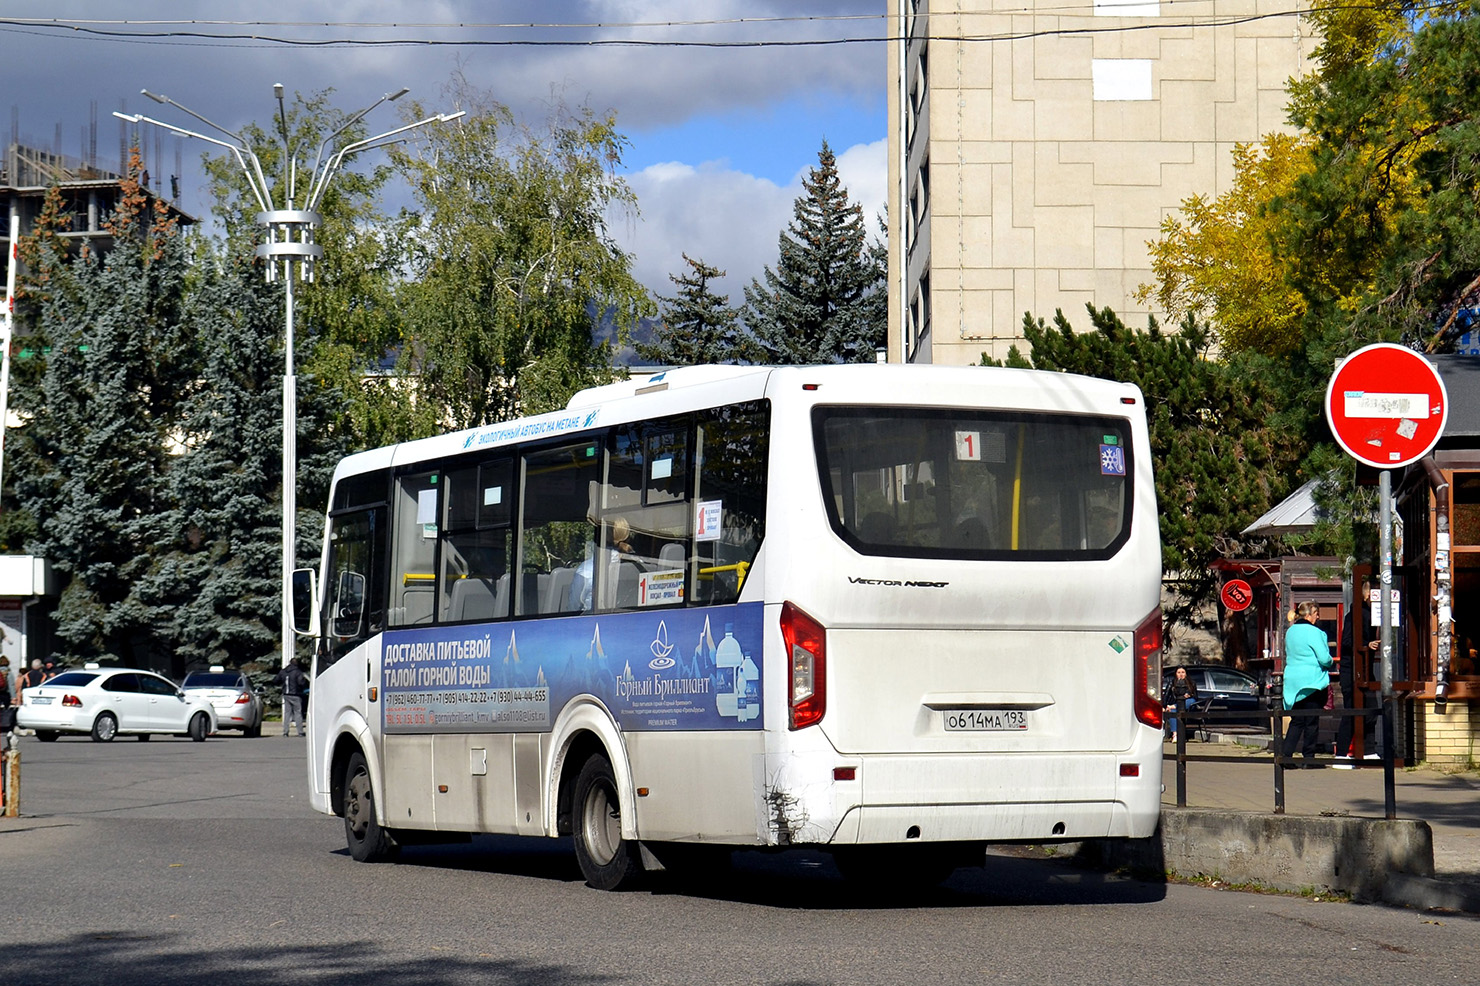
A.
pixel 177 862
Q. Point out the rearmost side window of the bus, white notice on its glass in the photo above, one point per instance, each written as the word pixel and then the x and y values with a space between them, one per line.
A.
pixel 730 457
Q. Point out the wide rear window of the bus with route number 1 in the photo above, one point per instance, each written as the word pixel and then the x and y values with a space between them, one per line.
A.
pixel 975 483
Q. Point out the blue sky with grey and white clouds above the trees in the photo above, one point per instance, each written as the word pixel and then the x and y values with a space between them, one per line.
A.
pixel 720 135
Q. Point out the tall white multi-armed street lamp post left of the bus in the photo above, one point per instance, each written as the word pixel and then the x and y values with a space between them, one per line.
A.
pixel 289 242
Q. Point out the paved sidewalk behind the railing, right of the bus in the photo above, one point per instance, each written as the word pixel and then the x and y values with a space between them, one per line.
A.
pixel 1450 803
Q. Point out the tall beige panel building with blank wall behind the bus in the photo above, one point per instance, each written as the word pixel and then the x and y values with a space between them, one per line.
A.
pixel 1037 146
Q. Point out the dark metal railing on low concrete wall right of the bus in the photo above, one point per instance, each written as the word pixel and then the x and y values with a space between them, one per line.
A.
pixel 1189 720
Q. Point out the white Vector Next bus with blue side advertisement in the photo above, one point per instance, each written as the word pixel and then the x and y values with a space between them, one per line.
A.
pixel 896 614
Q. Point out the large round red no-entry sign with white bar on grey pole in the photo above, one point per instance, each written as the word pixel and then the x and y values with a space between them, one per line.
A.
pixel 1387 406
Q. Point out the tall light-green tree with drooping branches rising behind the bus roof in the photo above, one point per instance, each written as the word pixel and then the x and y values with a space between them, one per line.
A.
pixel 510 266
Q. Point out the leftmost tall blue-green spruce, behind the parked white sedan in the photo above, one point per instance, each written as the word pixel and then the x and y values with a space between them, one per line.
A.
pixel 116 365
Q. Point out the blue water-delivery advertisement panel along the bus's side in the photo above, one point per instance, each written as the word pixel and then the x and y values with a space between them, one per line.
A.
pixel 676 670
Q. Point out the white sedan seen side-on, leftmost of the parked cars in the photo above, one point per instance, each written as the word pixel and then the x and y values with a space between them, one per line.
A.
pixel 106 702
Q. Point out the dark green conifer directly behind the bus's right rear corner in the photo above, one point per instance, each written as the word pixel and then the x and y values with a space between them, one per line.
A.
pixel 1219 451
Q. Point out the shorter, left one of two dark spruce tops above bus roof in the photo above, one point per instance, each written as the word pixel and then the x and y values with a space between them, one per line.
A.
pixel 698 326
